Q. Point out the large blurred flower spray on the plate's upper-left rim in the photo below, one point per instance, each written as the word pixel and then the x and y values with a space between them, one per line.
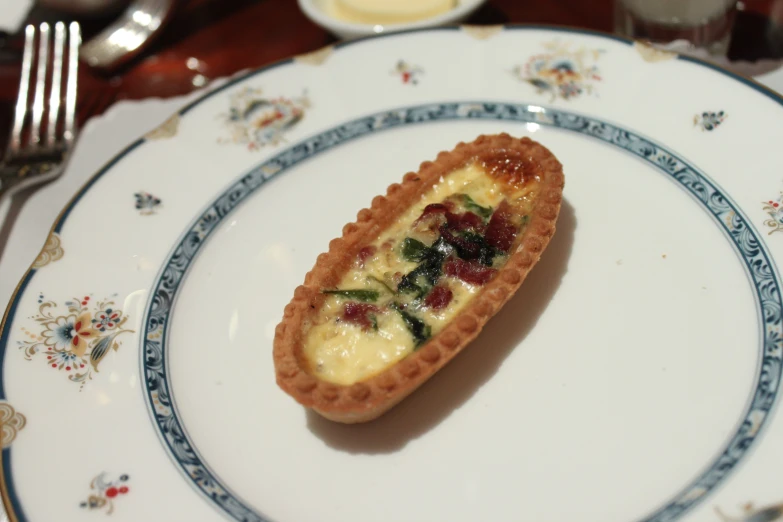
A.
pixel 256 121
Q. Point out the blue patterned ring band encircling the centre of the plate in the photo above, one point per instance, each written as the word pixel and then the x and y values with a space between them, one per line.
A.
pixel 725 213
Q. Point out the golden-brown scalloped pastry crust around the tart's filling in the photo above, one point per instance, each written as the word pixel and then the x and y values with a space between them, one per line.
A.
pixel 368 399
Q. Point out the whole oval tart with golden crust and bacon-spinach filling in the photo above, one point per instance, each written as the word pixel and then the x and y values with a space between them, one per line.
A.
pixel 414 280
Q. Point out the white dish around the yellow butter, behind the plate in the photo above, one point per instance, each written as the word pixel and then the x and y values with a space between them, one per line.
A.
pixel 315 10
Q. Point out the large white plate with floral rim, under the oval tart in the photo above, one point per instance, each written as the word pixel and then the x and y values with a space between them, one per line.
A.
pixel 634 376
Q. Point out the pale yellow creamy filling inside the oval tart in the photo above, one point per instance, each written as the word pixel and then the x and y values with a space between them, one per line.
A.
pixel 392 324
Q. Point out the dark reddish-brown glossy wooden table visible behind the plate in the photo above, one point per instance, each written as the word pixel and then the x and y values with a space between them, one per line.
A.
pixel 213 38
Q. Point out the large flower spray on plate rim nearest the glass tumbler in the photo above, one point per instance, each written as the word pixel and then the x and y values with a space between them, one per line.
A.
pixel 561 72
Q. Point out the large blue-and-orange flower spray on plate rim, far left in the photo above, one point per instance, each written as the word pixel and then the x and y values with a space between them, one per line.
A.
pixel 76 337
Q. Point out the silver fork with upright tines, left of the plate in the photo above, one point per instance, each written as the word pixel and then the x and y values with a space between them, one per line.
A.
pixel 41 157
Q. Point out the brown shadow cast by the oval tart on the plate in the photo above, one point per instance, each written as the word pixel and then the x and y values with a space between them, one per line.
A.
pixel 459 380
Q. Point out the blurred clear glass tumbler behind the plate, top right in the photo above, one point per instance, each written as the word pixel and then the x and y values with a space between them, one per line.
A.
pixel 706 24
